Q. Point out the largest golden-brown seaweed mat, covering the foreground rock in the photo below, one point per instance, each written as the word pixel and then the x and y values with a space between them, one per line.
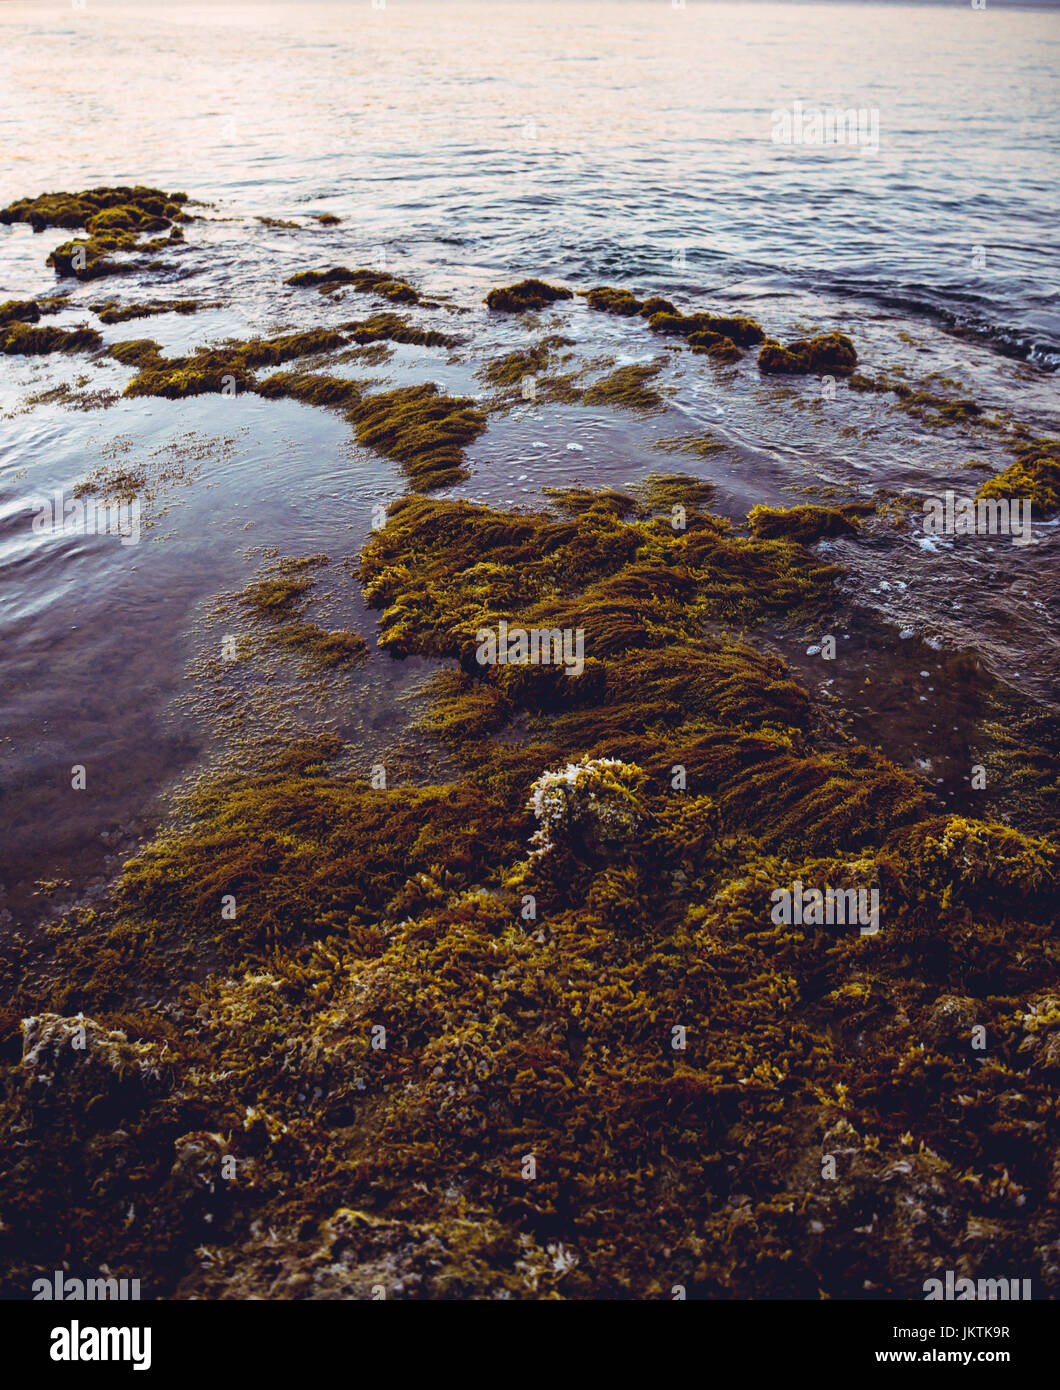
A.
pixel 676 1063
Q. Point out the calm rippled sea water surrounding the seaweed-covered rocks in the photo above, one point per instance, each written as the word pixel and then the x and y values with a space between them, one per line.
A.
pixel 466 147
